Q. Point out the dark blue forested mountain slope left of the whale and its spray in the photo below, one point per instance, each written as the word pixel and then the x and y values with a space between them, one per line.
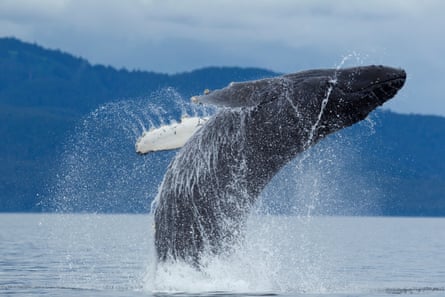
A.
pixel 44 93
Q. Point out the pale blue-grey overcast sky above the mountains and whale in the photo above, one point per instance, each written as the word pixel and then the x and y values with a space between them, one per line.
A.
pixel 281 35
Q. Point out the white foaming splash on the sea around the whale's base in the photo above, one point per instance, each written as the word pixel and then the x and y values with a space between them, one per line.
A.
pixel 276 257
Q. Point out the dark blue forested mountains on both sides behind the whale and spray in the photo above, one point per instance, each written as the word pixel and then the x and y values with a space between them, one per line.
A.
pixel 44 94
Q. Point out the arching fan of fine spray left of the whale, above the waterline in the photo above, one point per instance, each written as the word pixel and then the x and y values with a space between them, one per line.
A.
pixel 99 170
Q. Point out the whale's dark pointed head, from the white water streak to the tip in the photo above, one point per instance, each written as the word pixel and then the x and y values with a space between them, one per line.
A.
pixel 349 95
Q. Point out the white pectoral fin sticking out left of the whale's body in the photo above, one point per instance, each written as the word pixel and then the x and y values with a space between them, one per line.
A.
pixel 169 137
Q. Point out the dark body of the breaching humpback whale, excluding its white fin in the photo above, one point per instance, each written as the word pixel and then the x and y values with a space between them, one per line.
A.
pixel 213 181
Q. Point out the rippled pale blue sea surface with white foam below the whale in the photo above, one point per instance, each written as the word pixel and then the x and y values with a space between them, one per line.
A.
pixel 113 255
